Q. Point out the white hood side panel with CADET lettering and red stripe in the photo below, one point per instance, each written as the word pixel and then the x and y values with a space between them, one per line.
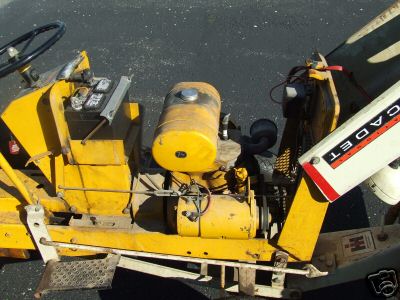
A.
pixel 360 147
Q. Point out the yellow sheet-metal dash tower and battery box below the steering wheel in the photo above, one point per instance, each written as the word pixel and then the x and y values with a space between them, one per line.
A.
pixel 37 121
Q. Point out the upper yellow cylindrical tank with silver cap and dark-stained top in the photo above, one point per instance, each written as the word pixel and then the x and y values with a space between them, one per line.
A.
pixel 187 133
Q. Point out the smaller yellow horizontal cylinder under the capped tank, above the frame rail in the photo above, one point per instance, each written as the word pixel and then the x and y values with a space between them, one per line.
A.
pixel 226 217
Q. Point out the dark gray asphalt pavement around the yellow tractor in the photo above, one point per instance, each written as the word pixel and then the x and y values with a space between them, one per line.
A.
pixel 243 48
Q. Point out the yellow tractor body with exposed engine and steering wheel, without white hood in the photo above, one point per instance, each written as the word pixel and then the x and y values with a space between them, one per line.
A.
pixel 204 193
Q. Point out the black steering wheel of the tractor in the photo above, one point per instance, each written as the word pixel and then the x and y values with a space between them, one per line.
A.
pixel 23 58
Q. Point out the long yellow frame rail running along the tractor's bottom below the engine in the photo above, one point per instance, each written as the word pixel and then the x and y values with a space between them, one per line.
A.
pixel 254 249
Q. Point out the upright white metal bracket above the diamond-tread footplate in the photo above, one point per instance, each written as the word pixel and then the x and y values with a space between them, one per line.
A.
pixel 38 229
